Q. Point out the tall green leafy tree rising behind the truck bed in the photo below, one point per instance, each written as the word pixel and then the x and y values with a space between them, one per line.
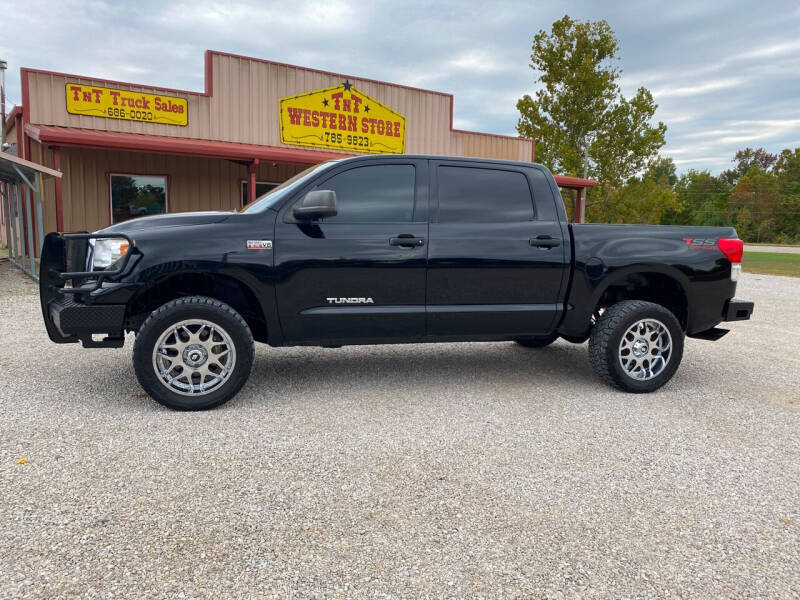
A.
pixel 579 118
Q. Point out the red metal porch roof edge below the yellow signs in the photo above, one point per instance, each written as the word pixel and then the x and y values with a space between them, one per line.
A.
pixel 89 138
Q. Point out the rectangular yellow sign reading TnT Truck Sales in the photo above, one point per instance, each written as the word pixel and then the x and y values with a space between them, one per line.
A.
pixel 128 105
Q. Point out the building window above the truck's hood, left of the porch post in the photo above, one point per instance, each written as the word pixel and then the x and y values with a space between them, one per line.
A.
pixel 137 196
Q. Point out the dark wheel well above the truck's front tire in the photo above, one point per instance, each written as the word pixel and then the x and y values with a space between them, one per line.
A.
pixel 226 289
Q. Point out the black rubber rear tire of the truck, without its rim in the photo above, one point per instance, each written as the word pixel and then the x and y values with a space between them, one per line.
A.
pixel 604 344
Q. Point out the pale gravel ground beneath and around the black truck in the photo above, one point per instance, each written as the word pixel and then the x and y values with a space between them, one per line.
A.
pixel 459 470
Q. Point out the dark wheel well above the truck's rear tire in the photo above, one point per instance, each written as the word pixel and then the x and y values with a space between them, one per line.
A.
pixel 652 287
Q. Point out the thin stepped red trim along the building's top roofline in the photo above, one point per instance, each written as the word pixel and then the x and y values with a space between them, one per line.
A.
pixel 209 85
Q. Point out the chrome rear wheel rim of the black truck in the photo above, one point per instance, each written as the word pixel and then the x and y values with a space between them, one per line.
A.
pixel 645 349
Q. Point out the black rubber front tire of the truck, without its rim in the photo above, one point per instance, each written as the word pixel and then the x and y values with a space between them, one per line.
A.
pixel 175 311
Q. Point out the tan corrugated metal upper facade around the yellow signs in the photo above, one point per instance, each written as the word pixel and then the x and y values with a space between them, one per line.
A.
pixel 244 108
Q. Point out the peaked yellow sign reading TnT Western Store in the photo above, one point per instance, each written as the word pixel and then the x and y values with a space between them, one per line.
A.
pixel 343 118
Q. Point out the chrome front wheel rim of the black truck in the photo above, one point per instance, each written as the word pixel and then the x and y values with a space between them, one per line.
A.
pixel 194 357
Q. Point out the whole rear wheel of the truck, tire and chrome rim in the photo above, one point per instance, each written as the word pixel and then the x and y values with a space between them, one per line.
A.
pixel 636 346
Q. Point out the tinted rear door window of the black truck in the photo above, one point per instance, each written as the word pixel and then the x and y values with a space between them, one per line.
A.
pixel 470 195
